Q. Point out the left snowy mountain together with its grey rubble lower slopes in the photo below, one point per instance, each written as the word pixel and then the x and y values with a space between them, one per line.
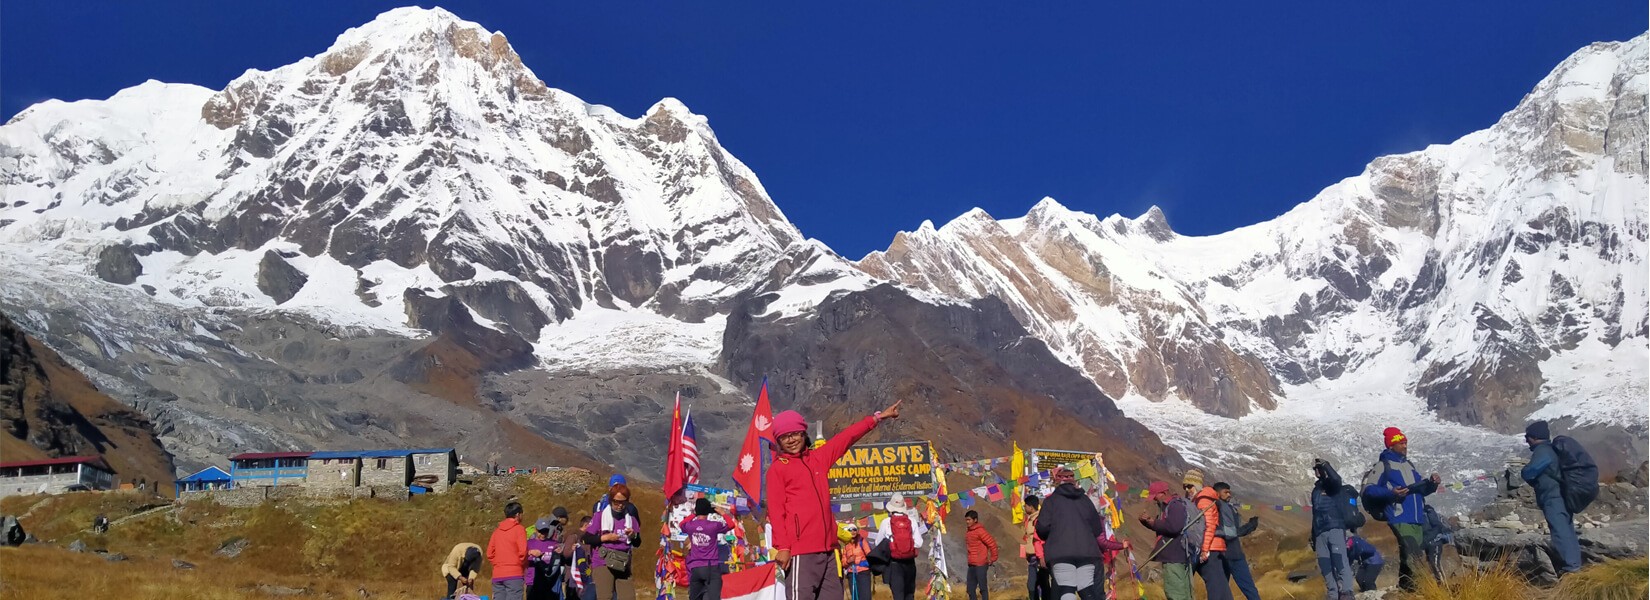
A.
pixel 339 251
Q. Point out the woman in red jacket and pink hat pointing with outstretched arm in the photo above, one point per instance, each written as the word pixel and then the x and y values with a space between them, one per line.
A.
pixel 799 504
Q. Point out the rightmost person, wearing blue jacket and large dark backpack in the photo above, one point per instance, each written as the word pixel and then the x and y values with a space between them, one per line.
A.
pixel 1562 474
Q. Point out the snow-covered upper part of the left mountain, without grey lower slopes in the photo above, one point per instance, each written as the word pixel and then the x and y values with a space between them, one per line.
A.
pixel 418 152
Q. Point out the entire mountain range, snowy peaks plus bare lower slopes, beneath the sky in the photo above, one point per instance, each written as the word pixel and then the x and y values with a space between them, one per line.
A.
pixel 412 237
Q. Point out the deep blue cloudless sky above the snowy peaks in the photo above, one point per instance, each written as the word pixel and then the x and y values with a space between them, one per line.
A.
pixel 869 118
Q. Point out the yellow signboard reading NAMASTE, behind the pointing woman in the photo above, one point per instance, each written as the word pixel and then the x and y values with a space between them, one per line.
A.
pixel 879 471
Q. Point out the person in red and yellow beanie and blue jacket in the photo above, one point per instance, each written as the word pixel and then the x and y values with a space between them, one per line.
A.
pixel 1398 497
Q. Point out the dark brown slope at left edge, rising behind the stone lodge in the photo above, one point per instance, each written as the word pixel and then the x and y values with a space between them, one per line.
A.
pixel 50 410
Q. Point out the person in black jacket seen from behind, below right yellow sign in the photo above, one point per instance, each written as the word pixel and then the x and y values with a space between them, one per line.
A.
pixel 1070 527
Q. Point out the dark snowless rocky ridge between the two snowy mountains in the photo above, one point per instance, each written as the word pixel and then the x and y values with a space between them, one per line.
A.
pixel 864 350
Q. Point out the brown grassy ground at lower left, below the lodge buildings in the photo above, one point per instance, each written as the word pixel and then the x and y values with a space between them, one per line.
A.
pixel 390 548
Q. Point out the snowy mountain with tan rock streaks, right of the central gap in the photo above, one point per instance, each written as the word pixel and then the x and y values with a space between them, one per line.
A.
pixel 1494 278
